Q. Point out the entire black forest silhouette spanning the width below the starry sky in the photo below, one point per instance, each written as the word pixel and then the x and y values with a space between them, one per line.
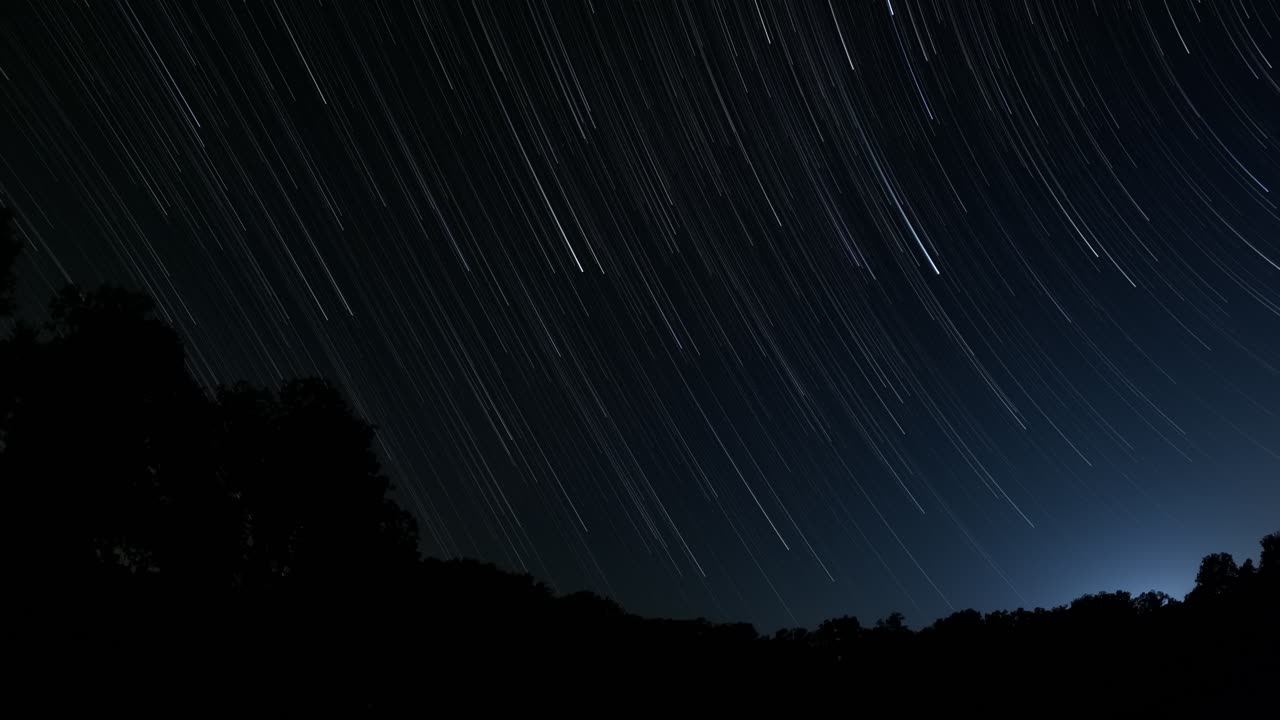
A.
pixel 150 521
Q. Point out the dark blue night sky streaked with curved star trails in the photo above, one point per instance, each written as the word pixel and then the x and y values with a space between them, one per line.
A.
pixel 749 311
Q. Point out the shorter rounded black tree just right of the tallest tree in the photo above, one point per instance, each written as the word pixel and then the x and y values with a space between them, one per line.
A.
pixel 314 500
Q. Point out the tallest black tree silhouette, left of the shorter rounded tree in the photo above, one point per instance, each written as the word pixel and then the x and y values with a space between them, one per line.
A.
pixel 104 435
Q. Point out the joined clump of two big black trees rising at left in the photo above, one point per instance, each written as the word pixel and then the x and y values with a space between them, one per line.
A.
pixel 120 472
